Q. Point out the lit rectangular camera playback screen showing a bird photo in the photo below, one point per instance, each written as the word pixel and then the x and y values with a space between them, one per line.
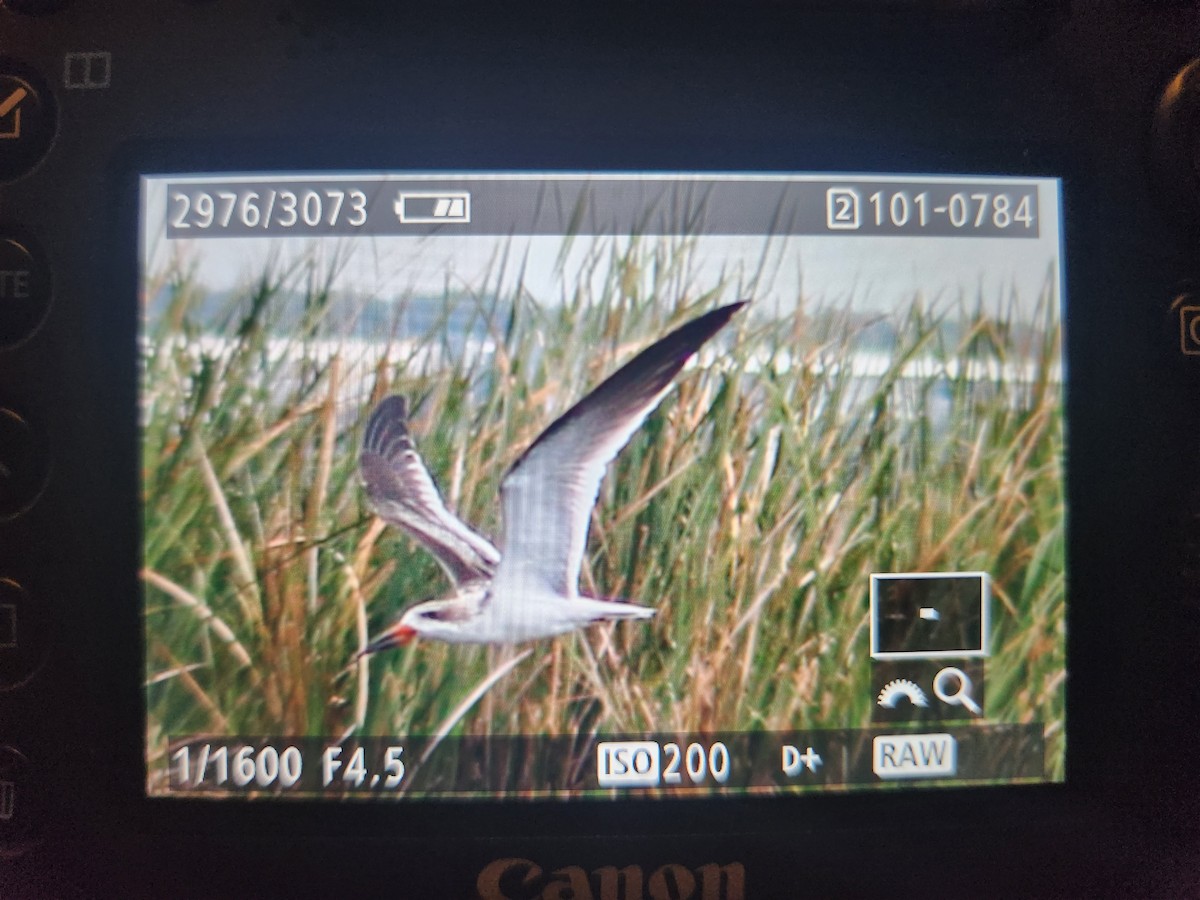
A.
pixel 523 485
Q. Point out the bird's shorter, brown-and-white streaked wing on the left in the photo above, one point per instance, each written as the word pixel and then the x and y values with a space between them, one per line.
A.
pixel 401 491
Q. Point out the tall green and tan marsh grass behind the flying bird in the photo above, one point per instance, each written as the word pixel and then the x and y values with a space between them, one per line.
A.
pixel 749 511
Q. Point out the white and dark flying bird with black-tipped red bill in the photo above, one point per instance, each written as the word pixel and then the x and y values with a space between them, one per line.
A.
pixel 529 589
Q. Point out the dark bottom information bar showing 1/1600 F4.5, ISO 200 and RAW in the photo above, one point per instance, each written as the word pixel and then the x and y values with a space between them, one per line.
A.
pixel 547 766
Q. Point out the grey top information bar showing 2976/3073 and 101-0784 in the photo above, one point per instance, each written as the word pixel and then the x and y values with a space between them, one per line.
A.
pixel 559 206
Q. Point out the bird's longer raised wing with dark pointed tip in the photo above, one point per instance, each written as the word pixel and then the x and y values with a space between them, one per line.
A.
pixel 549 494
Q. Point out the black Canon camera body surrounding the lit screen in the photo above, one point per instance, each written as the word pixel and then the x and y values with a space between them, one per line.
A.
pixel 1102 99
